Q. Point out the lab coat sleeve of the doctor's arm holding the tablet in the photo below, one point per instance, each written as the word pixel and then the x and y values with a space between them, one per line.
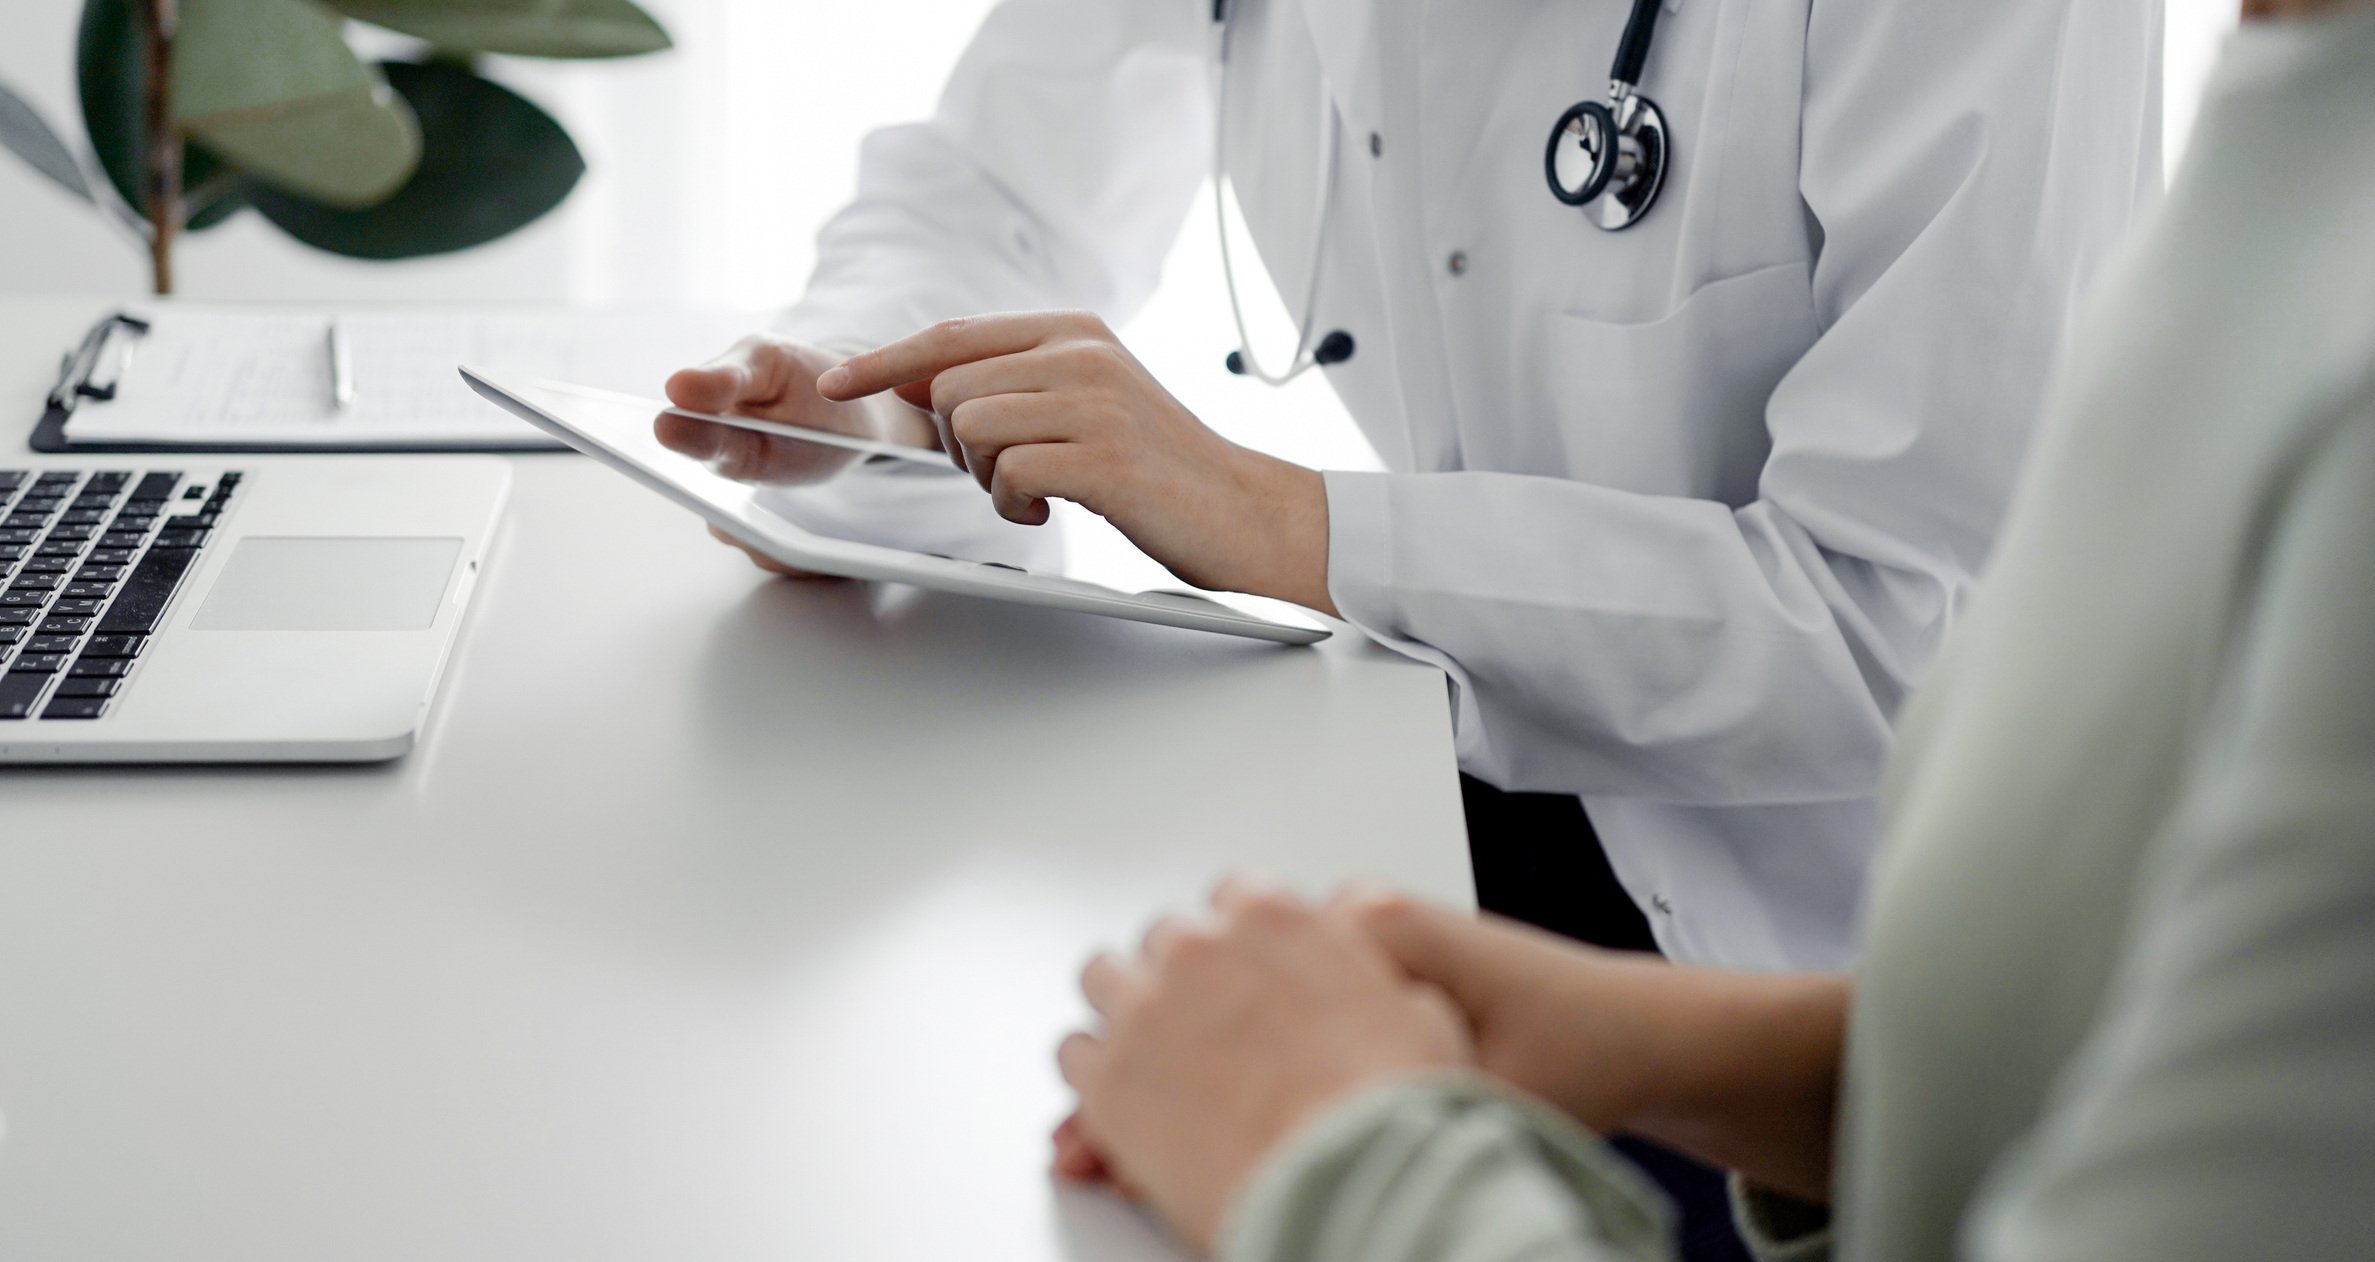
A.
pixel 1056 175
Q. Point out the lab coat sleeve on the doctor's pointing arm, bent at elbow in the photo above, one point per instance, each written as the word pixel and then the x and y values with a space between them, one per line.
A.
pixel 1963 170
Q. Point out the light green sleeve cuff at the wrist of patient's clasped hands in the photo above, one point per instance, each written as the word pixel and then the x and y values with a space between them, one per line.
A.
pixel 1448 1170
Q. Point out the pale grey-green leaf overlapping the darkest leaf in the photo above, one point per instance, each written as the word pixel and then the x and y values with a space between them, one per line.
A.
pixel 274 89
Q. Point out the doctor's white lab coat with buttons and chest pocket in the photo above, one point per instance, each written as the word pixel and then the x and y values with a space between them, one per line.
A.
pixel 1683 510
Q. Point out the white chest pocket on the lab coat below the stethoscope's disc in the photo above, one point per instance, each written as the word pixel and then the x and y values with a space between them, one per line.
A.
pixel 1678 405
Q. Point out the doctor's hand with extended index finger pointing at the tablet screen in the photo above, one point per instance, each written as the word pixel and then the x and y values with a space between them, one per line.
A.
pixel 1049 405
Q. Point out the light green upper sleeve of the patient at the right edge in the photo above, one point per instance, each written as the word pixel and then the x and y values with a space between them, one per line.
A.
pixel 2224 1106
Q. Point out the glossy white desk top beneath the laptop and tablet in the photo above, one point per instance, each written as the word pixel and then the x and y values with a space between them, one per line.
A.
pixel 714 919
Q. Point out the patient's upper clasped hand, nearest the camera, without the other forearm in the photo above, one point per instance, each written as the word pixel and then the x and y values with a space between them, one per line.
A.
pixel 1222 1040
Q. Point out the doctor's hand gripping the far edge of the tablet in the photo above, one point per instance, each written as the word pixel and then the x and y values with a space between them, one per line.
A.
pixel 775 379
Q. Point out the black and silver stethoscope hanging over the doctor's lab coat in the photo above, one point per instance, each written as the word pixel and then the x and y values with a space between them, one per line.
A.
pixel 1607 158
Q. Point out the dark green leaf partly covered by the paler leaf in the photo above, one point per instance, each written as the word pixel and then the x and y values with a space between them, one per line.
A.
pixel 490 163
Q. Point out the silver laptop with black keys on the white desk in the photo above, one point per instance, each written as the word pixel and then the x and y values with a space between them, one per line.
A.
pixel 262 612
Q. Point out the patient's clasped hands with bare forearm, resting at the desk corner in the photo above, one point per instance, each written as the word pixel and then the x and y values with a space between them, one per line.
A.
pixel 1224 1035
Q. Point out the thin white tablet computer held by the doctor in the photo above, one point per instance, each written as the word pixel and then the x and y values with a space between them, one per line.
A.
pixel 619 431
